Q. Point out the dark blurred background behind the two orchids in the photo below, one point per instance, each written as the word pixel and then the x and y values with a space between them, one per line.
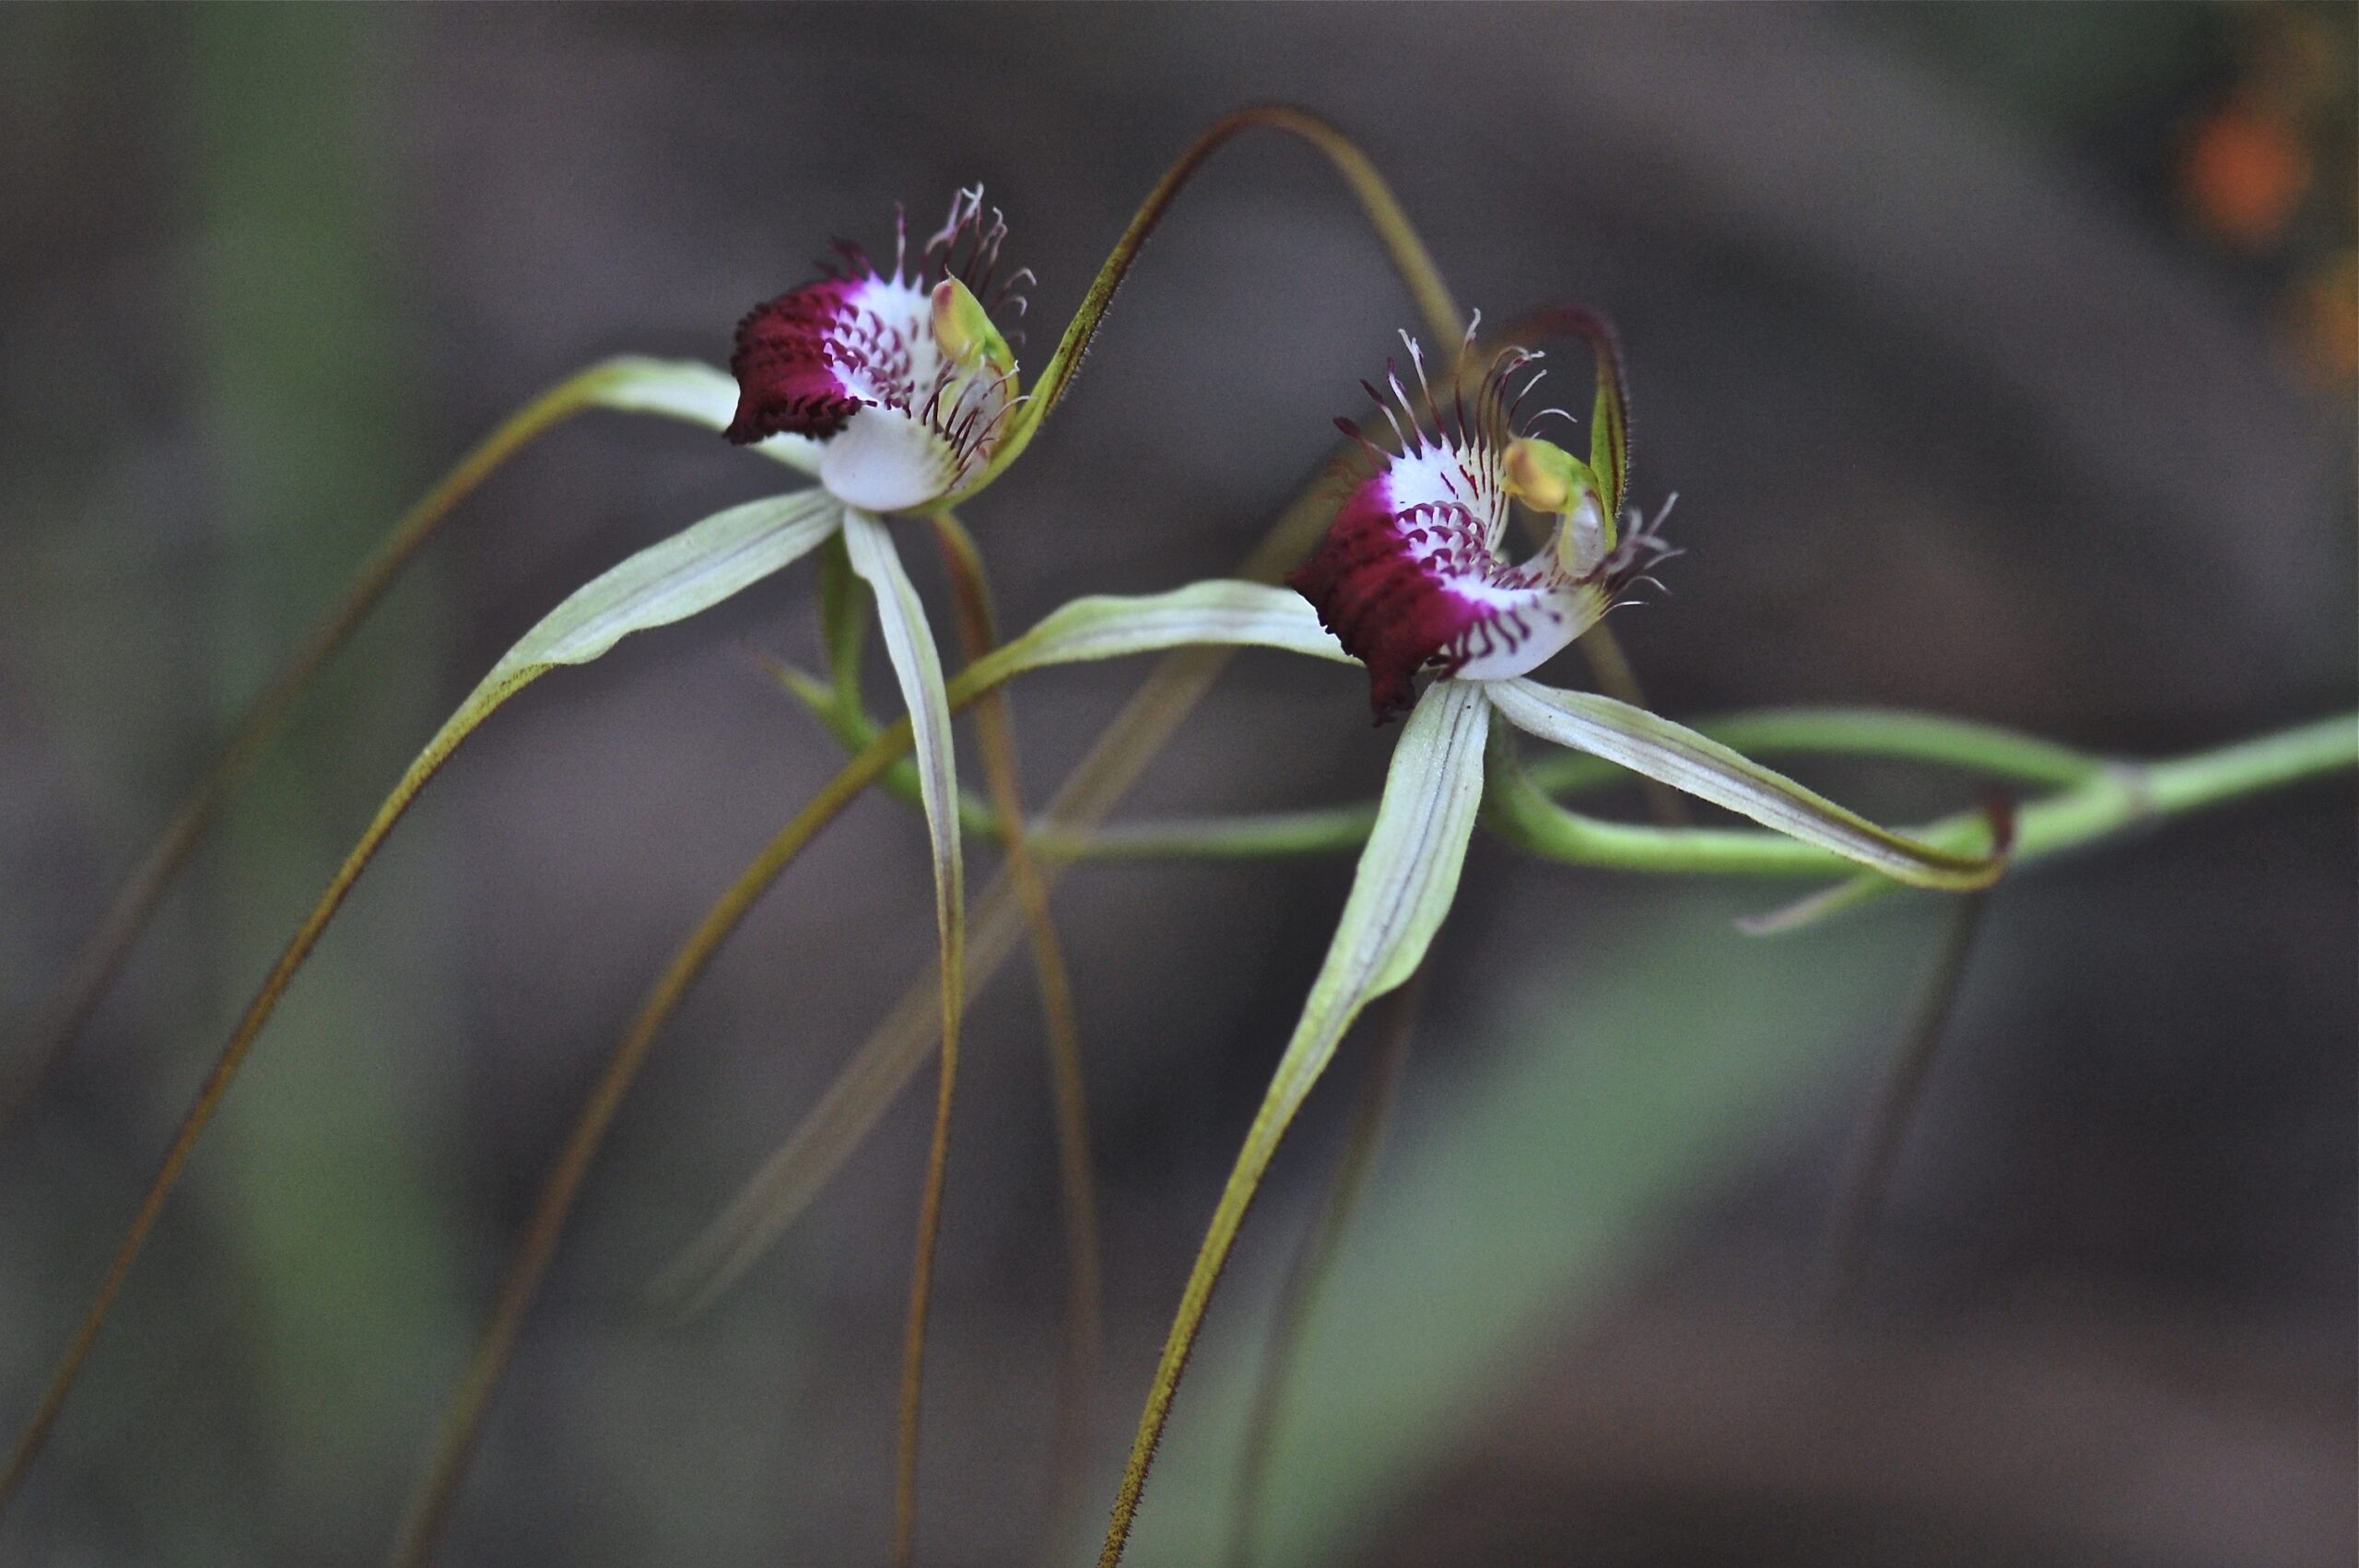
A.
pixel 2002 360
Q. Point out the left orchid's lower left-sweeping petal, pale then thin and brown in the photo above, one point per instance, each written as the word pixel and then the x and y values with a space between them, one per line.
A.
pixel 664 584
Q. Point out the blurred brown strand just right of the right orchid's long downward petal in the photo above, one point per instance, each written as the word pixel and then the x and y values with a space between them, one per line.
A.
pixel 1313 1263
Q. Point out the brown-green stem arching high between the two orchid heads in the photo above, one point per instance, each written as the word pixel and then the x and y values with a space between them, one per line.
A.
pixel 1376 199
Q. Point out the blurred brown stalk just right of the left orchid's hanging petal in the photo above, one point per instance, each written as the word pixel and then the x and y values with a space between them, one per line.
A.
pixel 978 628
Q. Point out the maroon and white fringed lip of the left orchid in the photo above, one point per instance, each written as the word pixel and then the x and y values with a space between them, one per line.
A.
pixel 902 376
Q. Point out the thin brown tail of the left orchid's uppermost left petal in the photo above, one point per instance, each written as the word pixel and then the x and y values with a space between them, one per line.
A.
pixel 105 951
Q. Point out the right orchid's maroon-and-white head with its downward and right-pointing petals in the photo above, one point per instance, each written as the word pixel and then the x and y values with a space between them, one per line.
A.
pixel 1412 579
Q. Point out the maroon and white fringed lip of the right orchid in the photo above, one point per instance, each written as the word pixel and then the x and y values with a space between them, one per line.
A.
pixel 1412 577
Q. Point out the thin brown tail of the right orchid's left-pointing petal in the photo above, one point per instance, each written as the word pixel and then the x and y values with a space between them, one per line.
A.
pixel 464 1418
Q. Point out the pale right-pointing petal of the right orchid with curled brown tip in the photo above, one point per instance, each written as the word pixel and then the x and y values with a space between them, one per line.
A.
pixel 1707 770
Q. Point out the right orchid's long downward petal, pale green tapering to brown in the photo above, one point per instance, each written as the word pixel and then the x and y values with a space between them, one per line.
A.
pixel 1405 885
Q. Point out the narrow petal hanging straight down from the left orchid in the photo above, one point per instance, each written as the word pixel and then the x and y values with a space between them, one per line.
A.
pixel 909 647
